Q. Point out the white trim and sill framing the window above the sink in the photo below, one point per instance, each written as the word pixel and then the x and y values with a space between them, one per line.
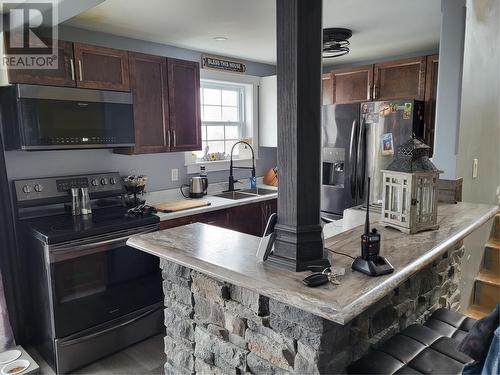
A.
pixel 250 84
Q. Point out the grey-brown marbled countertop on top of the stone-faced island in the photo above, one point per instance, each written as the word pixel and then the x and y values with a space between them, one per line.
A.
pixel 230 256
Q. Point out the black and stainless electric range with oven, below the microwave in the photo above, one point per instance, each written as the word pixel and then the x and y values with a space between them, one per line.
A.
pixel 89 293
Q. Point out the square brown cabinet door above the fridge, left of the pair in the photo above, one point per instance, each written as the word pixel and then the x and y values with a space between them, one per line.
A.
pixel 352 85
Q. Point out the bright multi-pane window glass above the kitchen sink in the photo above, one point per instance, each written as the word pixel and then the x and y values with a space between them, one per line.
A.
pixel 222 117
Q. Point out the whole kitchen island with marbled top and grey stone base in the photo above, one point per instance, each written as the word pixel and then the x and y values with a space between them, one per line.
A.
pixel 225 312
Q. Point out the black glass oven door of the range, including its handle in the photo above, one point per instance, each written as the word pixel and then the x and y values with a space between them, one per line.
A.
pixel 101 279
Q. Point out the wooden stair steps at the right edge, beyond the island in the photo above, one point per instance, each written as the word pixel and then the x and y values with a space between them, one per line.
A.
pixel 486 292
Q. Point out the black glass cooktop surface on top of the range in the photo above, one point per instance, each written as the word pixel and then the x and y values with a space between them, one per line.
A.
pixel 65 227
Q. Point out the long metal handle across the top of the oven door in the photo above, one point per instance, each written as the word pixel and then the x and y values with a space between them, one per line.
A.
pixel 78 250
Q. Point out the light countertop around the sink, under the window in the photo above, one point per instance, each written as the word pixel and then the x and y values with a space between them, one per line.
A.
pixel 216 203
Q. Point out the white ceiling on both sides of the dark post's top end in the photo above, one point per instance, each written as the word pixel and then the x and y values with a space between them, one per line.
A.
pixel 381 28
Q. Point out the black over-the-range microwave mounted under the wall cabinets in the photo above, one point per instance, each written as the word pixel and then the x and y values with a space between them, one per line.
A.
pixel 50 118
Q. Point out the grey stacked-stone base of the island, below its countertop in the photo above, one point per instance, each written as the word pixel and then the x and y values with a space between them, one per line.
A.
pixel 216 328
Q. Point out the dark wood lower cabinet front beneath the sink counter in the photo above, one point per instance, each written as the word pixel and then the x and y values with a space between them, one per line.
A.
pixel 249 218
